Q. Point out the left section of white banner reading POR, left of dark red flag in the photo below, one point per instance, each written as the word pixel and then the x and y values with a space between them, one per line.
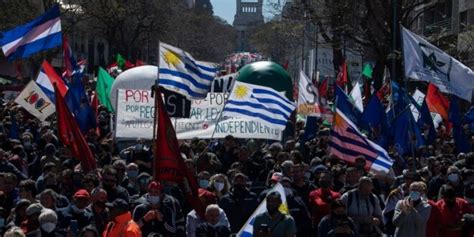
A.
pixel 135 114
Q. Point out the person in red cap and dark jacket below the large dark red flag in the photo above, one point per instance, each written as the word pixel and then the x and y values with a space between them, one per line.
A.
pixel 160 213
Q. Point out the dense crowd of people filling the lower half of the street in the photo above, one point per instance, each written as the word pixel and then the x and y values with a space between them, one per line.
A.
pixel 44 192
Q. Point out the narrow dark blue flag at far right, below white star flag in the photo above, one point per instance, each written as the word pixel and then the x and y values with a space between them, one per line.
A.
pixel 454 116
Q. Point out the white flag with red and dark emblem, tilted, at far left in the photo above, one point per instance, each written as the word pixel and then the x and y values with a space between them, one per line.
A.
pixel 33 99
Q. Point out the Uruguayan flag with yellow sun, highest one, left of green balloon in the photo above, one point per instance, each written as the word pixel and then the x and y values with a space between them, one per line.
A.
pixel 179 72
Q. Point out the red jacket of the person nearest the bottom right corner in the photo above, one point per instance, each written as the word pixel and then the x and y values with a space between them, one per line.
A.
pixel 451 216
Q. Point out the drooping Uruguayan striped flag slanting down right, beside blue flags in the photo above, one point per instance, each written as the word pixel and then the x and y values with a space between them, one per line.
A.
pixel 347 143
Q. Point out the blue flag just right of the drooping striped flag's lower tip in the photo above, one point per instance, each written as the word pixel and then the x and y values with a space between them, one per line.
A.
pixel 406 134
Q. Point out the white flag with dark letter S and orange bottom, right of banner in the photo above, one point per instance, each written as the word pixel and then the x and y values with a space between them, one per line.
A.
pixel 308 97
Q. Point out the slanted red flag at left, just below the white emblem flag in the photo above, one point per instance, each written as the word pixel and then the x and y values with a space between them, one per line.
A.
pixel 71 136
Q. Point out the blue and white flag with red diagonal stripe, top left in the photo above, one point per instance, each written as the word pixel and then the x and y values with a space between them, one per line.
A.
pixel 40 34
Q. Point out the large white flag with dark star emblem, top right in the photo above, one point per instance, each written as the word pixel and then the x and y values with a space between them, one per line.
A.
pixel 424 61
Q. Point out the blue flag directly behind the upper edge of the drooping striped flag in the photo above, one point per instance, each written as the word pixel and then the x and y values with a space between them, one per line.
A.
pixel 374 121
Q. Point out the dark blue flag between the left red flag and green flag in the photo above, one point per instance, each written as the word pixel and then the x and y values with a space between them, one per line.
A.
pixel 78 103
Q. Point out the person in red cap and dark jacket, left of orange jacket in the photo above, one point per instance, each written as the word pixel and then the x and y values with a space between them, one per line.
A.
pixel 76 211
